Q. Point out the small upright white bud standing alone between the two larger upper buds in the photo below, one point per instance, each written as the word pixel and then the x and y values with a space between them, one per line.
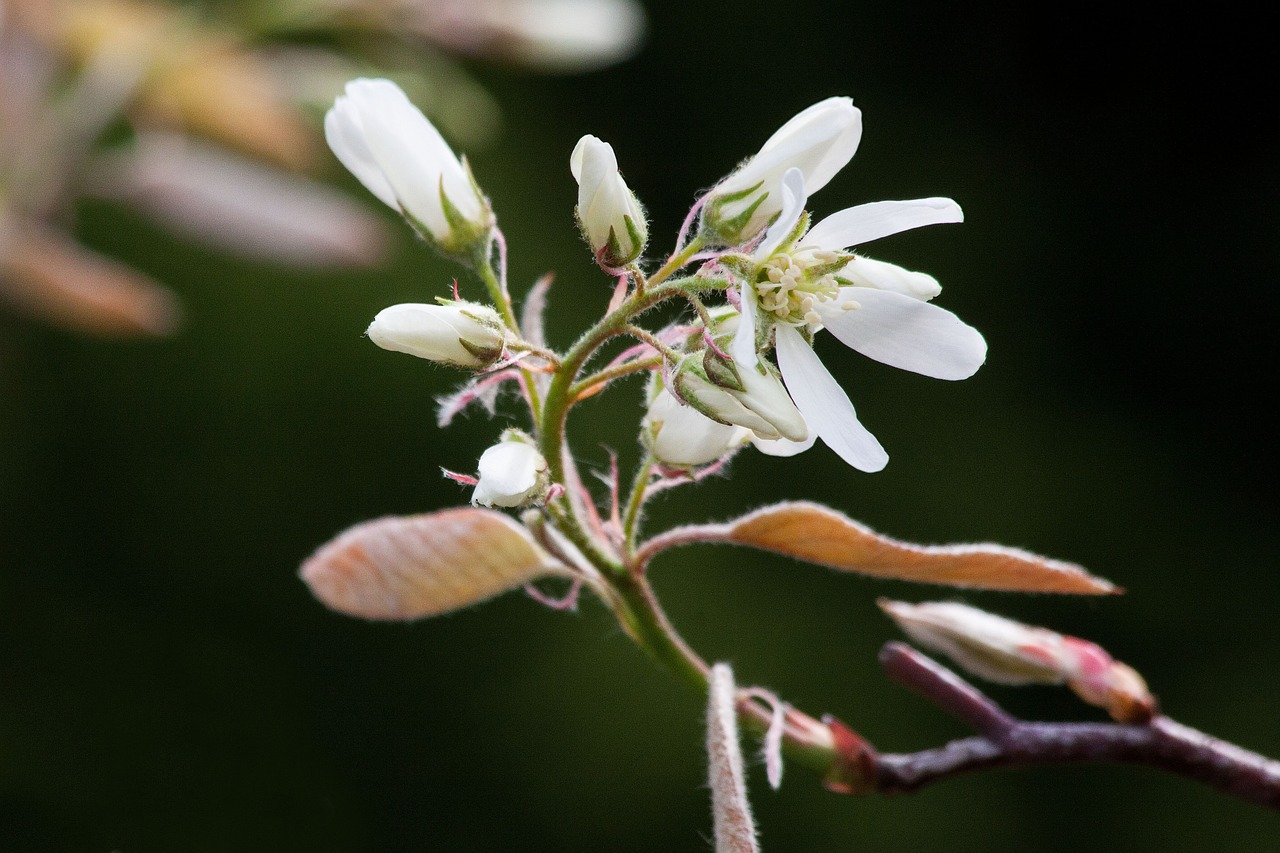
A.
pixel 611 218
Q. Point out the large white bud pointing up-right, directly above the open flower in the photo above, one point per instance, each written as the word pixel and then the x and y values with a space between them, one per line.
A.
pixel 819 142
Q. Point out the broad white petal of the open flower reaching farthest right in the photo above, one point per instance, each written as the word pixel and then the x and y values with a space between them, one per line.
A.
pixel 904 332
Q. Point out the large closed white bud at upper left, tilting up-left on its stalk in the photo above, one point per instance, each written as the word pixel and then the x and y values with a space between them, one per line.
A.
pixel 403 159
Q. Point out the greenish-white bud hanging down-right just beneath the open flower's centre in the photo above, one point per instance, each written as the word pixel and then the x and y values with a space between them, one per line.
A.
pixel 737 395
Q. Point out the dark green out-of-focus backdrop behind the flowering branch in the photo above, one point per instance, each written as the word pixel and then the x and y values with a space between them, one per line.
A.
pixel 167 683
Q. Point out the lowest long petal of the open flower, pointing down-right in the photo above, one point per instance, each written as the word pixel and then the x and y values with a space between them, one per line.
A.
pixel 825 405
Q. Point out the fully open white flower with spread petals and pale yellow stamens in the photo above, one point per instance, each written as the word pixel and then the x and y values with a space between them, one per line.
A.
pixel 812 284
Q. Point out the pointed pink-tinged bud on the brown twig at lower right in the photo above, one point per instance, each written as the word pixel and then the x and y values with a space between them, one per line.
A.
pixel 1008 653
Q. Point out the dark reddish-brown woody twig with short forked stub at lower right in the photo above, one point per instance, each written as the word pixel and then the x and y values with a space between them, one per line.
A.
pixel 1007 742
